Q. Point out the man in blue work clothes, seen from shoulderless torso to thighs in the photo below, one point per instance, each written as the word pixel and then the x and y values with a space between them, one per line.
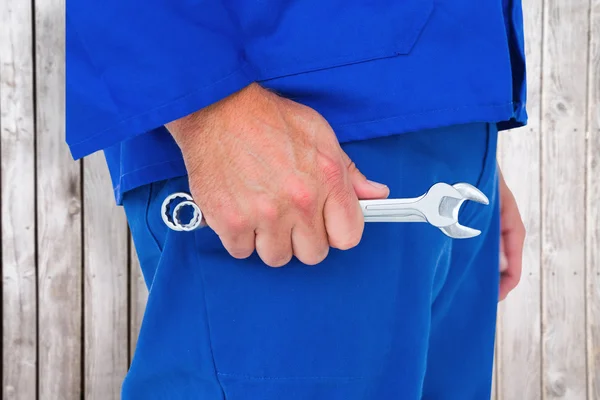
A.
pixel 265 112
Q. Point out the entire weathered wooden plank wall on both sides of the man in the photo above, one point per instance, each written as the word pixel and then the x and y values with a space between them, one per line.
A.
pixel 72 293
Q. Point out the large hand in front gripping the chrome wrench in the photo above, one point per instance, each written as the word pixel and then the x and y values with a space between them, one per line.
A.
pixel 269 174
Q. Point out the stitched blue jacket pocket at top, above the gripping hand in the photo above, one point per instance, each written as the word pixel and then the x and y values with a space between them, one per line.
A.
pixel 290 37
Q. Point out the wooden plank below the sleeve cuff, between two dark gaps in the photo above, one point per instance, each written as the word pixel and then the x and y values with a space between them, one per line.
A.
pixel 105 289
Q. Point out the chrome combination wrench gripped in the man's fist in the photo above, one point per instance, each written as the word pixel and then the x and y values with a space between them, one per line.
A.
pixel 439 207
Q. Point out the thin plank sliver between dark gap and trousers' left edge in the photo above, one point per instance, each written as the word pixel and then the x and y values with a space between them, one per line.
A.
pixel 138 298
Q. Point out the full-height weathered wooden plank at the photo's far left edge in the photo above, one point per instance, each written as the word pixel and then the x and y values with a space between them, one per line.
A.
pixel 19 308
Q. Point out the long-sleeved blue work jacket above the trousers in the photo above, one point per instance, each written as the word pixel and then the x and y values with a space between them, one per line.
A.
pixel 371 68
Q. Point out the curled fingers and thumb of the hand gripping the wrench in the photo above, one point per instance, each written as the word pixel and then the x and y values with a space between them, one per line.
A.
pixel 303 220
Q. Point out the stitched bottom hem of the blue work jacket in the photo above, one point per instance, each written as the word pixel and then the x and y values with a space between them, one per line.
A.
pixel 507 115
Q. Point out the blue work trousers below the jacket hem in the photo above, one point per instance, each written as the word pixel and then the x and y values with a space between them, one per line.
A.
pixel 408 314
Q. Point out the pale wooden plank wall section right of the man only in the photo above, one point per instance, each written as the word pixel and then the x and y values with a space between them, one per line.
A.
pixel 548 333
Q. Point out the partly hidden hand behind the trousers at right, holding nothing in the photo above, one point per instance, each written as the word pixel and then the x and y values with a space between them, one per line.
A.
pixel 511 241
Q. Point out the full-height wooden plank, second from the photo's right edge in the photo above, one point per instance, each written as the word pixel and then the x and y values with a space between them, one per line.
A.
pixel 563 203
